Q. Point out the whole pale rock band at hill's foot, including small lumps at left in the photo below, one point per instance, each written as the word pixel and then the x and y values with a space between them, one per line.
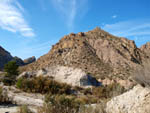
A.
pixel 64 74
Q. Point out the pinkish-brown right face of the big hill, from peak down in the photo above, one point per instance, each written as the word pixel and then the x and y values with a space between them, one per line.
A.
pixel 122 54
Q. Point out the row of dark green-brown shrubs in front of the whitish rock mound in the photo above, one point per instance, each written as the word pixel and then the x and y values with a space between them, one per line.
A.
pixel 43 85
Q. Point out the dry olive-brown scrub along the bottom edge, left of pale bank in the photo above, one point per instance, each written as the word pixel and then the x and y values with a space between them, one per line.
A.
pixel 70 104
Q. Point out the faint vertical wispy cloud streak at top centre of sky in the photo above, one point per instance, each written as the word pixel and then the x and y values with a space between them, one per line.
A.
pixel 70 9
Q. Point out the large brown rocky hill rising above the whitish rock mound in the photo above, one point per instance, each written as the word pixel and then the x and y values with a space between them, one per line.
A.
pixel 96 52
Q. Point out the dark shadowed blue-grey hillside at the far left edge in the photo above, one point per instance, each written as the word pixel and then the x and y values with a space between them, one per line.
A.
pixel 5 57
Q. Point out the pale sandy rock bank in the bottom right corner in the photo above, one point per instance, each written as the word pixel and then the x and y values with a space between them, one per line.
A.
pixel 136 100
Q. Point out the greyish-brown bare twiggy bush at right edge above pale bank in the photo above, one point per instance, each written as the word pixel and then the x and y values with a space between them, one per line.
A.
pixel 142 75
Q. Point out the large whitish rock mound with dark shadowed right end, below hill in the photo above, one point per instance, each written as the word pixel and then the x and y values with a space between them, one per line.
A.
pixel 72 76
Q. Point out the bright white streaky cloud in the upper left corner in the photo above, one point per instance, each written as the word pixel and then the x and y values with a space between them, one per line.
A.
pixel 12 19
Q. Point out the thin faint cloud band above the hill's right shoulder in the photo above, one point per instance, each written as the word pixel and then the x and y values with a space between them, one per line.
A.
pixel 129 28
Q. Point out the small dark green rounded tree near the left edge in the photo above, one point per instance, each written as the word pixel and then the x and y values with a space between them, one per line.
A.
pixel 11 68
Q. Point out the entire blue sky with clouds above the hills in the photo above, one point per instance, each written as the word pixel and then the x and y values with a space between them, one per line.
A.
pixel 31 27
